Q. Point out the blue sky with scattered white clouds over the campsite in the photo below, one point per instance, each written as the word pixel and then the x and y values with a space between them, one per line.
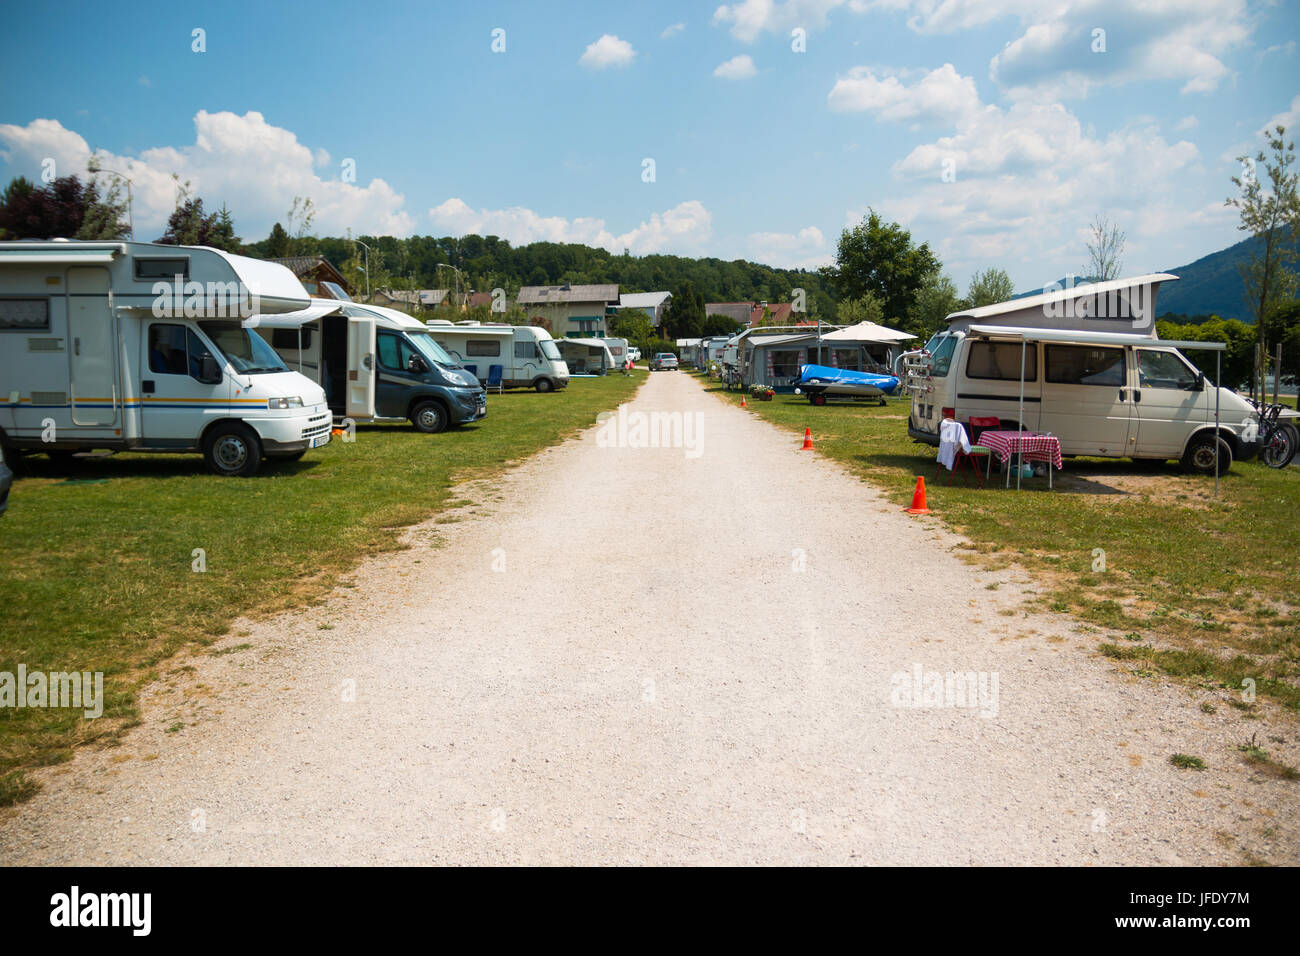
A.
pixel 995 129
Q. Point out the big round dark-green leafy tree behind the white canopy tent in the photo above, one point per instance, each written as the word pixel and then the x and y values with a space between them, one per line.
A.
pixel 881 258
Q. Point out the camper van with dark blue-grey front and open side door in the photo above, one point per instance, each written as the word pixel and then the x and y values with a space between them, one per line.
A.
pixel 375 365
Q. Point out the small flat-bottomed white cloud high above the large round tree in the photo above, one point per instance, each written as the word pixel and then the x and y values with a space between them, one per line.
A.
pixel 942 94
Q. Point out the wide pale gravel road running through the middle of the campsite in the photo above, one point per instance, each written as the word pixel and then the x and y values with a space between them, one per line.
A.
pixel 647 656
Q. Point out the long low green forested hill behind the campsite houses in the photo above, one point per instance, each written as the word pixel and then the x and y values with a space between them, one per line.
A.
pixel 488 262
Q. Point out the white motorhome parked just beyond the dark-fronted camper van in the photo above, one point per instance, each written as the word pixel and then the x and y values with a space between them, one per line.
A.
pixel 527 353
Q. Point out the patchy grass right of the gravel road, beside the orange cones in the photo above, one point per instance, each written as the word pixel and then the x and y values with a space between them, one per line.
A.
pixel 1202 589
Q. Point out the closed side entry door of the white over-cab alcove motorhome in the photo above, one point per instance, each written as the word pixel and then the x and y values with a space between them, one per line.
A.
pixel 92 347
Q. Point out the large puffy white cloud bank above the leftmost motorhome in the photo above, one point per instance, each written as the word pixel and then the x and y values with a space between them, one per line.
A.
pixel 241 162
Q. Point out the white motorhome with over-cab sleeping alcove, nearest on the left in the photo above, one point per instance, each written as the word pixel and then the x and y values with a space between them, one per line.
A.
pixel 135 347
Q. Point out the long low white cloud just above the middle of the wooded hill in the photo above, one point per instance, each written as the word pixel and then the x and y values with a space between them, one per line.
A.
pixel 683 228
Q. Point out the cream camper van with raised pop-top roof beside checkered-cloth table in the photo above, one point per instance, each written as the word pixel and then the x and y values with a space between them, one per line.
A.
pixel 1093 371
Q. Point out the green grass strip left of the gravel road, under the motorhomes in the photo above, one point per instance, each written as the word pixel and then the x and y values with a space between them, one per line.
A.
pixel 97 559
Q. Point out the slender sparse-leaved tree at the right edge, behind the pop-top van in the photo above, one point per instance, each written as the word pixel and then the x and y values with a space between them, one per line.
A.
pixel 1272 214
